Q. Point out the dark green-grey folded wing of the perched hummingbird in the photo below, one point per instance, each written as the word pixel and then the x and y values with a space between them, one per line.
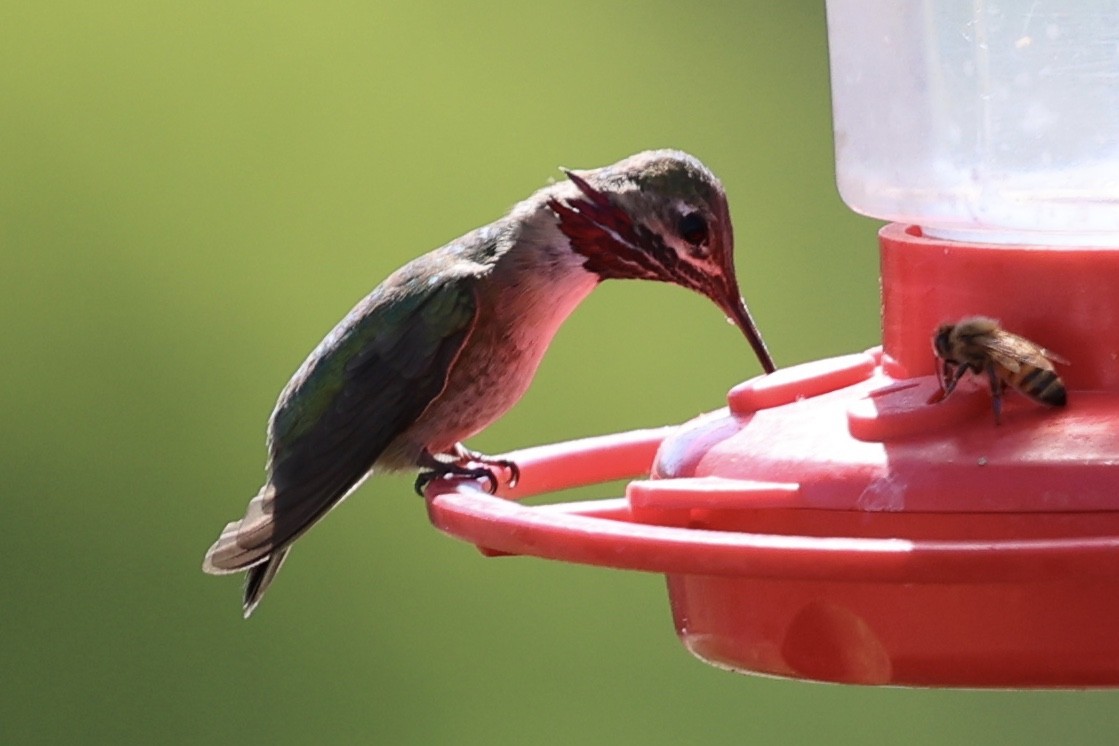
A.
pixel 369 381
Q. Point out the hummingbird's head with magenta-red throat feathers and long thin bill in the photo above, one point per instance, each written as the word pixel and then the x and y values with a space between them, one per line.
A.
pixel 660 215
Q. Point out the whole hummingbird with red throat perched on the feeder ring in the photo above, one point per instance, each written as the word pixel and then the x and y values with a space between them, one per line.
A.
pixel 450 342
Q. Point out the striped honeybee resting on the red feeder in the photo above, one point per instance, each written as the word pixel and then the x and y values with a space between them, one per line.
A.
pixel 980 345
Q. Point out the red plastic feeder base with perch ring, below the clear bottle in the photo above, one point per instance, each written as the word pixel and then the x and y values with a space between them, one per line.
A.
pixel 832 525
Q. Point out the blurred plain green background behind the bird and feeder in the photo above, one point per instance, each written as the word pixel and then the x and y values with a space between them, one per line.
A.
pixel 193 194
